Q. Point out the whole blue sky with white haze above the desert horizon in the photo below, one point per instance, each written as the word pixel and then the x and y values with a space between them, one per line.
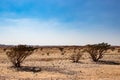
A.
pixel 59 22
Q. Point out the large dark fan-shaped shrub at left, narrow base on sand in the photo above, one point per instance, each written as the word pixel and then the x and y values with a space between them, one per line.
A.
pixel 17 54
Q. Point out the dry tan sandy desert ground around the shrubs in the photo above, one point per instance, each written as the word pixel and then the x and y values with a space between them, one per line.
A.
pixel 49 64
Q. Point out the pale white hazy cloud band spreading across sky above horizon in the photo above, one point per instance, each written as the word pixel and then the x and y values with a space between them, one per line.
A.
pixel 52 32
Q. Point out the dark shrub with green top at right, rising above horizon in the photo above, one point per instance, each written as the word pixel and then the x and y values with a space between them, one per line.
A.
pixel 96 51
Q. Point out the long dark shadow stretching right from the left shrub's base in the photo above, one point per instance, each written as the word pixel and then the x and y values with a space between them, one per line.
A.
pixel 45 68
